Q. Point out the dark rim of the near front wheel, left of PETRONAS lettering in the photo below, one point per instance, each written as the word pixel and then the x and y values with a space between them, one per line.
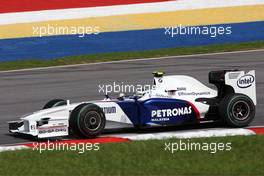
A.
pixel 92 120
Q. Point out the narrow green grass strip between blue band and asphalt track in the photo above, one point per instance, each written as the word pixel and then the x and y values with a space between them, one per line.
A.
pixel 34 63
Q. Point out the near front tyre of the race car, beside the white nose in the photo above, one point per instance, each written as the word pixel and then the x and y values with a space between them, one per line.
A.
pixel 87 120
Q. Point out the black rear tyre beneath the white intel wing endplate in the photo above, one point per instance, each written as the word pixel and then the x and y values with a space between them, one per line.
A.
pixel 237 110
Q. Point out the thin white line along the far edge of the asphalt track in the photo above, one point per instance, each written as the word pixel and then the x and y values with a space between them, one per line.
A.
pixel 132 60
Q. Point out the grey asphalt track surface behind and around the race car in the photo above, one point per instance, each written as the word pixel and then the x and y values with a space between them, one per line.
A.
pixel 22 92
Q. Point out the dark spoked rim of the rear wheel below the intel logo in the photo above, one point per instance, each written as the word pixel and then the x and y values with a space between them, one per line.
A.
pixel 241 110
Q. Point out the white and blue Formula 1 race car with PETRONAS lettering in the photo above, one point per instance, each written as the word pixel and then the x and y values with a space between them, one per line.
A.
pixel 172 100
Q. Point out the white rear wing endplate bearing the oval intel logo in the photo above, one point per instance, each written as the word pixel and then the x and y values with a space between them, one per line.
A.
pixel 242 82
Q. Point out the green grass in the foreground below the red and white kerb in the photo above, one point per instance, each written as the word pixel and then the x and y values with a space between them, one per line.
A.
pixel 142 158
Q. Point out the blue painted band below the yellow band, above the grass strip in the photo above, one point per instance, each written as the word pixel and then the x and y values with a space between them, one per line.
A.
pixel 69 45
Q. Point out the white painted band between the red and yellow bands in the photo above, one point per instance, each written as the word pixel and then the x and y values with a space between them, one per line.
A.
pixel 77 13
